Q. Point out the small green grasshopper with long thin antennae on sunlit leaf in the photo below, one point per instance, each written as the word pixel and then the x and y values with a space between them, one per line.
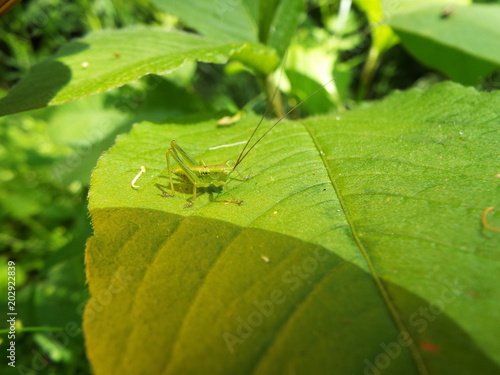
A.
pixel 201 175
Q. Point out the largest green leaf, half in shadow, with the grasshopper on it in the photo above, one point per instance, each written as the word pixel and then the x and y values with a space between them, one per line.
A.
pixel 359 246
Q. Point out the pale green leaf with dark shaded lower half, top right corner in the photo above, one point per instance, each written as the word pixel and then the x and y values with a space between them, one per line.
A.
pixel 460 41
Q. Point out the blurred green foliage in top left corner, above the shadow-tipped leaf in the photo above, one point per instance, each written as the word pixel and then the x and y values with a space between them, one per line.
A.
pixel 34 29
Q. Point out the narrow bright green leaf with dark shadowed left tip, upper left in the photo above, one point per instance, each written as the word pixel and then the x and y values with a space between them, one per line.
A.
pixel 108 59
